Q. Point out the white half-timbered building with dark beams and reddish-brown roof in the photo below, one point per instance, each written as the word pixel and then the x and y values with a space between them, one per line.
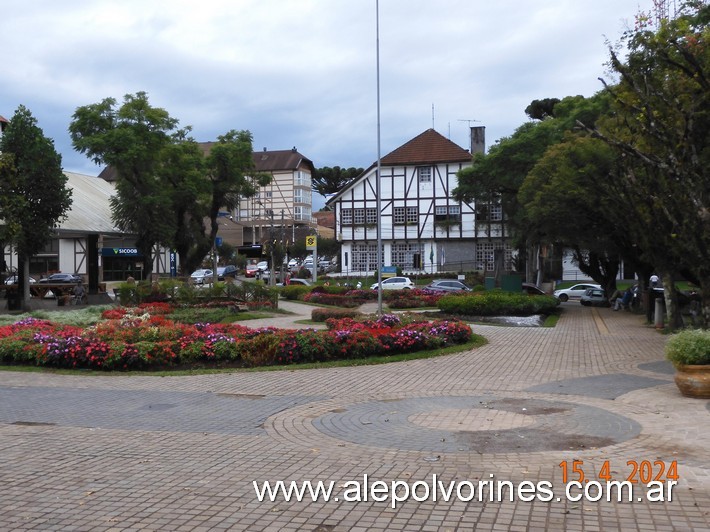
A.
pixel 423 228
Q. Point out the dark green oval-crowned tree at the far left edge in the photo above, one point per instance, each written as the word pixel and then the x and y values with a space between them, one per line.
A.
pixel 33 190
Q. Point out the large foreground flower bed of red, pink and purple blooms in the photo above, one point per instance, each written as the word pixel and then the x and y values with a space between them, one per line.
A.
pixel 145 338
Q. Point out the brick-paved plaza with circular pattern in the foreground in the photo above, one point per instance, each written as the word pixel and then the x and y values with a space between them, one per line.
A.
pixel 592 395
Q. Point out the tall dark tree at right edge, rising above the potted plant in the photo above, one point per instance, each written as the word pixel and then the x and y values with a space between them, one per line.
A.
pixel 661 126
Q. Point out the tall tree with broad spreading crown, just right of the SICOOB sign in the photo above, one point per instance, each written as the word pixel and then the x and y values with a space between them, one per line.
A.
pixel 131 138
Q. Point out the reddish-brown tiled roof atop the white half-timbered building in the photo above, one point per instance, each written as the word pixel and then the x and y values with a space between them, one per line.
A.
pixel 429 147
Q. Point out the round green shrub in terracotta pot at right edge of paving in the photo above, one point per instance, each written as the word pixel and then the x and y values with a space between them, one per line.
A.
pixel 689 351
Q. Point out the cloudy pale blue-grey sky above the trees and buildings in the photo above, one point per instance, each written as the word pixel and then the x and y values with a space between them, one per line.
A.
pixel 303 73
